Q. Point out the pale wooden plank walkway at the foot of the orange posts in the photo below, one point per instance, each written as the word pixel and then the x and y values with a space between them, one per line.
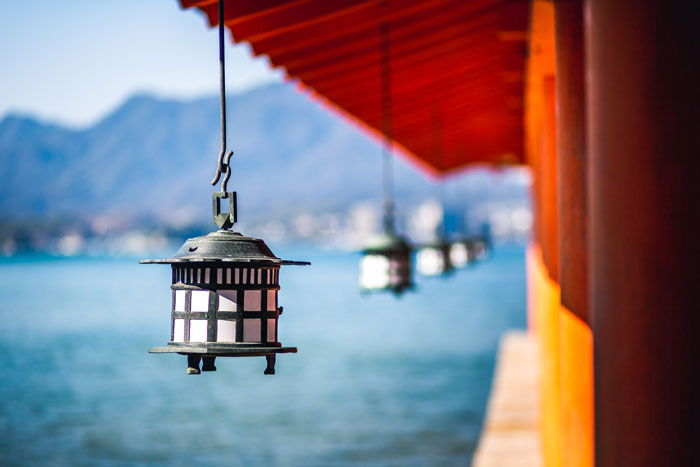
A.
pixel 511 430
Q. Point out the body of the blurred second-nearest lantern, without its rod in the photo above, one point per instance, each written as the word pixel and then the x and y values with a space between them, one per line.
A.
pixel 386 264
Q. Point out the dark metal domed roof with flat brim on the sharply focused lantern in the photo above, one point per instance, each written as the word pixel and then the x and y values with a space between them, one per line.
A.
pixel 224 246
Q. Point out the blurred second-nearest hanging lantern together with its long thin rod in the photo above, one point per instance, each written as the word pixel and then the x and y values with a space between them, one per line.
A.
pixel 386 257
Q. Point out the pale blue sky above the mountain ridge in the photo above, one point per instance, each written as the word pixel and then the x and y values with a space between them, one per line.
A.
pixel 72 61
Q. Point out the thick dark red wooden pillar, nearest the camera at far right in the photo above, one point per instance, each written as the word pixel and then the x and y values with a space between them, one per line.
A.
pixel 643 88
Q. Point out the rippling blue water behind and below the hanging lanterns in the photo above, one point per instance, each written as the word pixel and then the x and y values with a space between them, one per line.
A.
pixel 377 380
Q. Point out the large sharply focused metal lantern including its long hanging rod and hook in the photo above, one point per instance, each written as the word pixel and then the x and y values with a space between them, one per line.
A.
pixel 224 285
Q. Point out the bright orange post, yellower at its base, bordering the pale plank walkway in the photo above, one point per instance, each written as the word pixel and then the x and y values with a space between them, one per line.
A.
pixel 542 259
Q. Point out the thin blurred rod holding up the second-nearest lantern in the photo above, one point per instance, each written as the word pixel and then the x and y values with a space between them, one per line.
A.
pixel 387 168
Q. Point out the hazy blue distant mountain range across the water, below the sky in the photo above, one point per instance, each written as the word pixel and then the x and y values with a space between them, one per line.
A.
pixel 153 159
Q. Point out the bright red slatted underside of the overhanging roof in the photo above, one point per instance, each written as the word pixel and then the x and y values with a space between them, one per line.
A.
pixel 456 67
